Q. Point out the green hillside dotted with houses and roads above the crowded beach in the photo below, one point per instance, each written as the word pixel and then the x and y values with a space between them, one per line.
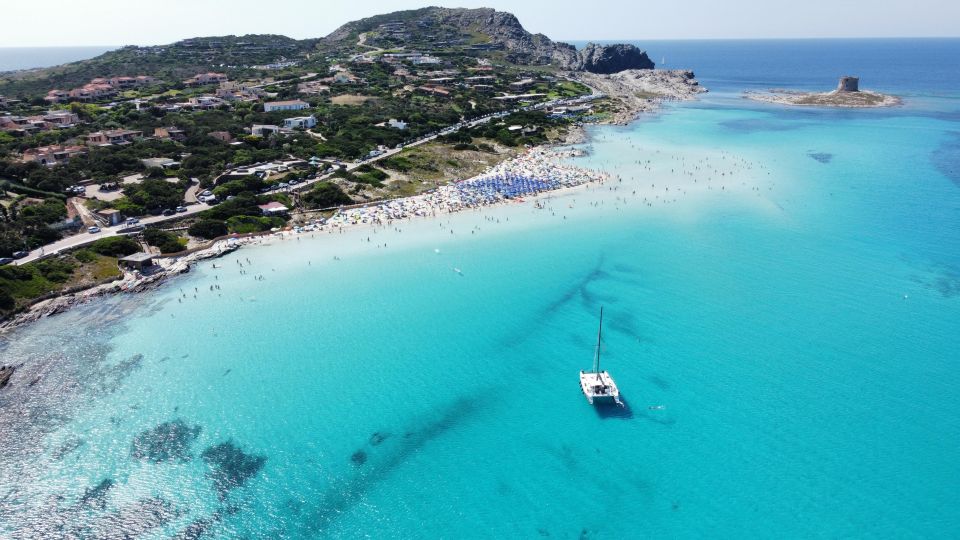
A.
pixel 207 131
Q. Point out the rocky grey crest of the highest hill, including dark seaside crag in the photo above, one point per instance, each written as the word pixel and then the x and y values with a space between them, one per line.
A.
pixel 505 32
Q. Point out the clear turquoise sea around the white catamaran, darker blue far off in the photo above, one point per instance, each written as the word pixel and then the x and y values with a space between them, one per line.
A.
pixel 781 293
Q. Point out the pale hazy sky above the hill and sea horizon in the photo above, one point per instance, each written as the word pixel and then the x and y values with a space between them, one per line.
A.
pixel 137 22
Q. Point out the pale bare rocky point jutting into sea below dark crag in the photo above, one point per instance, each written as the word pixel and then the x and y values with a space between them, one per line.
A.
pixel 637 91
